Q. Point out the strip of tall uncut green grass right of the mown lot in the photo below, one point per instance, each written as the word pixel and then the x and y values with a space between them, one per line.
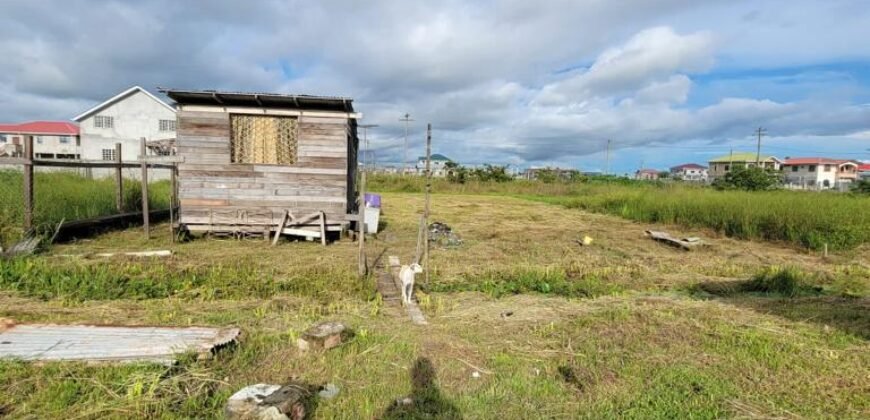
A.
pixel 808 219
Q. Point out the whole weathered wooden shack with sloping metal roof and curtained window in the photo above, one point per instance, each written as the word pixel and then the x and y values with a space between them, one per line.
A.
pixel 251 159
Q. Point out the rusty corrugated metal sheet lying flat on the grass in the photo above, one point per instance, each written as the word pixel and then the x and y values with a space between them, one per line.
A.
pixel 109 343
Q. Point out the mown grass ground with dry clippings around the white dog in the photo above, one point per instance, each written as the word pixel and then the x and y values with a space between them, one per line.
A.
pixel 626 327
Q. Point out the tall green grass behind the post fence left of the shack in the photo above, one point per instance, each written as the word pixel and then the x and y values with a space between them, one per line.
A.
pixel 66 195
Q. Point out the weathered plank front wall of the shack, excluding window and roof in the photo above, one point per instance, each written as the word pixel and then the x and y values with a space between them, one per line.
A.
pixel 209 183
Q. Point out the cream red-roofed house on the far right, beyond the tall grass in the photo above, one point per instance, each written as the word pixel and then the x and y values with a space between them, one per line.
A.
pixel 816 173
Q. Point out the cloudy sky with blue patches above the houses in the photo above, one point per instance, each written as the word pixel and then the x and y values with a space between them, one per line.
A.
pixel 526 83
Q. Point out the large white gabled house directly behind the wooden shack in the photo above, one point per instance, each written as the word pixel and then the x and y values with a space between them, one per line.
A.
pixel 125 118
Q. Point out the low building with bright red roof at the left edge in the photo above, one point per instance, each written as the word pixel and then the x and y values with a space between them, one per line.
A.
pixel 51 139
